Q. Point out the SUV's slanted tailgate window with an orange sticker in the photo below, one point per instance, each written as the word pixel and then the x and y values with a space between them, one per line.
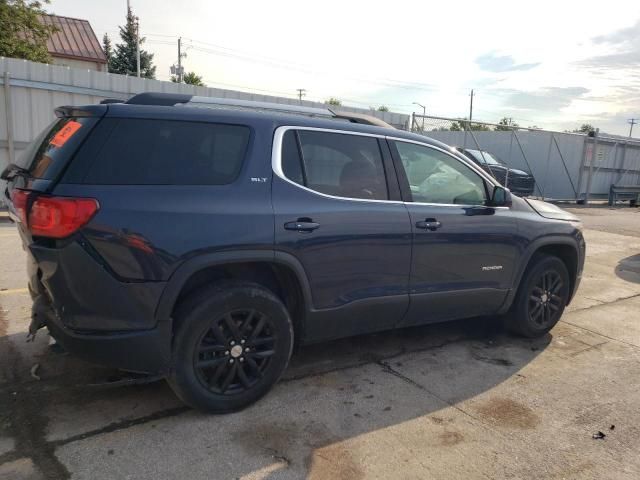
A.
pixel 48 154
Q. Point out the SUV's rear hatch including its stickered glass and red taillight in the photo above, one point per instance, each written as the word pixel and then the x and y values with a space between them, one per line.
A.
pixel 31 178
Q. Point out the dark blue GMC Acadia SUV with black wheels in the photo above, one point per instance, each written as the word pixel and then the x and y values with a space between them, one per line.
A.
pixel 201 238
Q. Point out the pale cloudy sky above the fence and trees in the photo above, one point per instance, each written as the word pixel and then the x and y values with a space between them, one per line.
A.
pixel 554 65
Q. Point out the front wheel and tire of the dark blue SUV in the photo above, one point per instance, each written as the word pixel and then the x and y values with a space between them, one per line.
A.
pixel 541 299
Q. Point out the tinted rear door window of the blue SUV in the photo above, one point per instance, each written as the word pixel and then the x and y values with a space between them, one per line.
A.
pixel 336 164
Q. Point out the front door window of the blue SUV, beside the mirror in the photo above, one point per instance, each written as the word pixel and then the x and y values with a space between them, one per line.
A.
pixel 435 177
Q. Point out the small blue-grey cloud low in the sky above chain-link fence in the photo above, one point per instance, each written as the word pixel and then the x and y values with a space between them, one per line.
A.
pixel 547 98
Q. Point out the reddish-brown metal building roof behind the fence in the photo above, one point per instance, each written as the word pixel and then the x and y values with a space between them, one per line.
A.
pixel 74 39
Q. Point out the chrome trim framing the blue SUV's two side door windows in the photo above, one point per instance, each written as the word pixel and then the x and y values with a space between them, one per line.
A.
pixel 276 165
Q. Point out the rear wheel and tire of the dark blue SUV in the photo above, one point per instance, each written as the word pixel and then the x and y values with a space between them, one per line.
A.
pixel 233 343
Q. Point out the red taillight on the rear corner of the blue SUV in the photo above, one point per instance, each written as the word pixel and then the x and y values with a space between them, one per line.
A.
pixel 59 217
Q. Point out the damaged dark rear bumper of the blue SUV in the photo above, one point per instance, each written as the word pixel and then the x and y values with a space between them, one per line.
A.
pixel 93 314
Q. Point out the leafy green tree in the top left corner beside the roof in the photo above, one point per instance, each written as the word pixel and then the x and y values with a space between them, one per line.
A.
pixel 22 34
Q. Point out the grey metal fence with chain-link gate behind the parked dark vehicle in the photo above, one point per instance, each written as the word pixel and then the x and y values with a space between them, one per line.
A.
pixel 565 165
